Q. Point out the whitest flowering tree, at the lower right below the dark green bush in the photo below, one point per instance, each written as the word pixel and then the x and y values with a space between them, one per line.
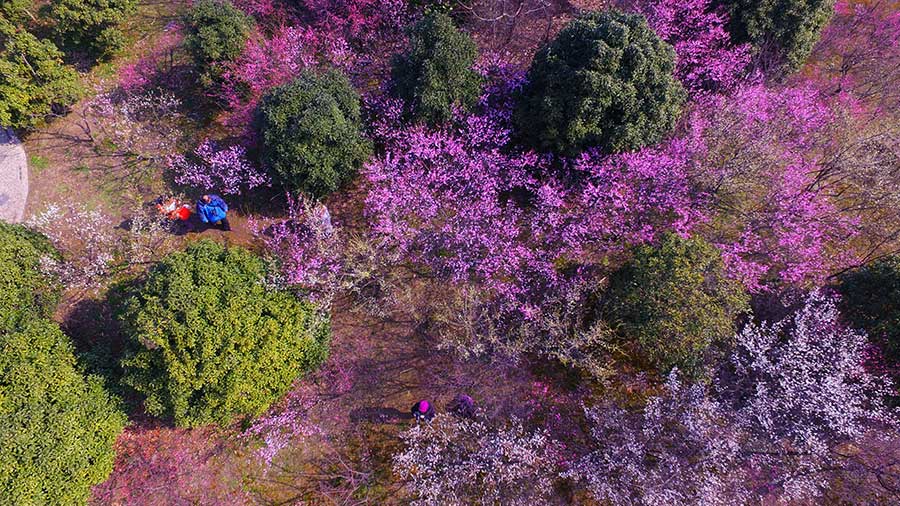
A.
pixel 800 391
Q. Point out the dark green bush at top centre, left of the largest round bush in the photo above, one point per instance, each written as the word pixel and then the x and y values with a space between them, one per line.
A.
pixel 436 73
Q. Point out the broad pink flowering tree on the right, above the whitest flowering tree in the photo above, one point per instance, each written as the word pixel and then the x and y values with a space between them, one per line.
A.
pixel 777 218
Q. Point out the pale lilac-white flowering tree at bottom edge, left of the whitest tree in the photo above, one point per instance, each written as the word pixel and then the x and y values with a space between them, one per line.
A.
pixel 682 449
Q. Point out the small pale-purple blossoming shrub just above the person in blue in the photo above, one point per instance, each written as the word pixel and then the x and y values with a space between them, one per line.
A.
pixel 215 168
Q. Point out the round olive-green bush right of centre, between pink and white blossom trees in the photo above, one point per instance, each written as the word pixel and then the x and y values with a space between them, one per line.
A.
pixel 674 301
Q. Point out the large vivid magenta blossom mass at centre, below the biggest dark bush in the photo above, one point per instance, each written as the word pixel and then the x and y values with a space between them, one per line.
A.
pixel 515 236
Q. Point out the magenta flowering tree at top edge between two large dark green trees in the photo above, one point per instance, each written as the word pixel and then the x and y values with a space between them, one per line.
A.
pixel 697 30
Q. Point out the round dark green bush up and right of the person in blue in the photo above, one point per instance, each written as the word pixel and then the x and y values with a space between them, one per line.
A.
pixel 311 133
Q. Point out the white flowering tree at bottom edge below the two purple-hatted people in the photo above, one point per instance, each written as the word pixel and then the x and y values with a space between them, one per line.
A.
pixel 462 461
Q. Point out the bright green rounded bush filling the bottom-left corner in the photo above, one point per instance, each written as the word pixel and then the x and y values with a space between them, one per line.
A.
pixel 57 428
